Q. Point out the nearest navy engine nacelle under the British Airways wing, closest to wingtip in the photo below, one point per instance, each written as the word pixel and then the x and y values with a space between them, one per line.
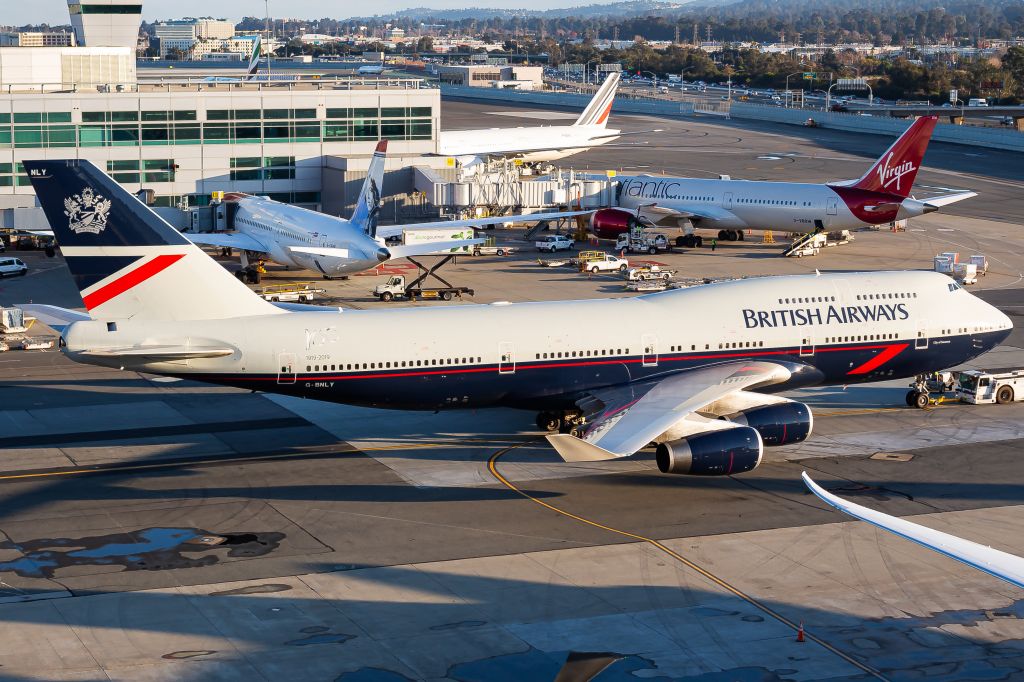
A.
pixel 712 454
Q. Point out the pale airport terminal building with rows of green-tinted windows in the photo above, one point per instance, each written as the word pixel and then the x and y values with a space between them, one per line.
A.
pixel 183 139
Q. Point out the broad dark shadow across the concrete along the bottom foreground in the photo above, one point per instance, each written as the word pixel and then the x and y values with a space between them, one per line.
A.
pixel 688 626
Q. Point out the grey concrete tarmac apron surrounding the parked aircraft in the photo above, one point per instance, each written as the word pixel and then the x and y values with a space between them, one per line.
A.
pixel 167 530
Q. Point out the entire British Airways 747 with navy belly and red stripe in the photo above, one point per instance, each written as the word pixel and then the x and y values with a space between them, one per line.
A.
pixel 707 393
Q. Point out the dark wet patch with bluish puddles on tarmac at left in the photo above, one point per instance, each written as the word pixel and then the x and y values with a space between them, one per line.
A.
pixel 148 549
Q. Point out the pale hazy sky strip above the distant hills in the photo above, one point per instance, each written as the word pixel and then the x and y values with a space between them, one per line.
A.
pixel 56 12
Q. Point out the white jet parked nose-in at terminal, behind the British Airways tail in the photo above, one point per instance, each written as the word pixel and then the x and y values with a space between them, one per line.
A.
pixel 335 247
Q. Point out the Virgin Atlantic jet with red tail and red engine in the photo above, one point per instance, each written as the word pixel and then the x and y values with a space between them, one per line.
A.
pixel 883 195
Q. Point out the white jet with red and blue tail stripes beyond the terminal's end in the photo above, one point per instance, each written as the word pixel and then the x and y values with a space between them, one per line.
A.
pixel 537 144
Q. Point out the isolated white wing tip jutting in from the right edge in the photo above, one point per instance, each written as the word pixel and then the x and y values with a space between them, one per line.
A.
pixel 995 563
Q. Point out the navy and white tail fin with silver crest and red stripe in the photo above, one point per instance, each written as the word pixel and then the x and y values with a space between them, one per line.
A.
pixel 127 262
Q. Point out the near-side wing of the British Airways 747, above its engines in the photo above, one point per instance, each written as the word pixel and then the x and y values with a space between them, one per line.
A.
pixel 626 418
